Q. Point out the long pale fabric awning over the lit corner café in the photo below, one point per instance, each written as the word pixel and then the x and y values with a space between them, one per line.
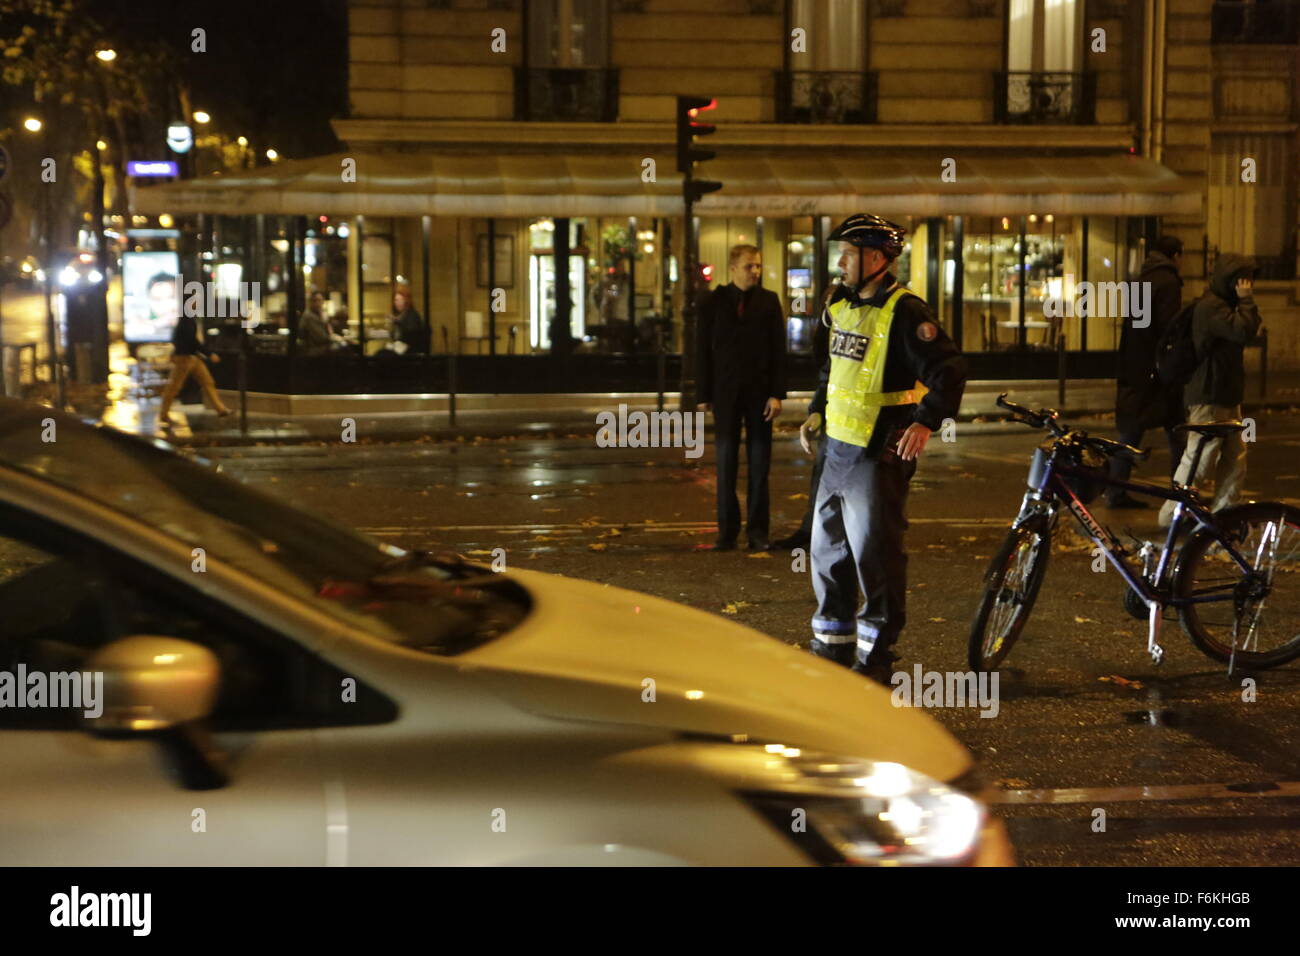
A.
pixel 756 184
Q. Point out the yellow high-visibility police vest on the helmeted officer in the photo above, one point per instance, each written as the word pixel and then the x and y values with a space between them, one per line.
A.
pixel 860 341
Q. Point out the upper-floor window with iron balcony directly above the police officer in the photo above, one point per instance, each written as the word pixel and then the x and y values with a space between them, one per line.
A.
pixel 827 83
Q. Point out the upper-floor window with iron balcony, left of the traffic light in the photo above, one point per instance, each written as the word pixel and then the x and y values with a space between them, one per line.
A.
pixel 567 72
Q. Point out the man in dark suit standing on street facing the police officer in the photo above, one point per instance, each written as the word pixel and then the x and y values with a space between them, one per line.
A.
pixel 742 377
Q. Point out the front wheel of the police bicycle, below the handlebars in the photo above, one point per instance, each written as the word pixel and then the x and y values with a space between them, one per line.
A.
pixel 1011 589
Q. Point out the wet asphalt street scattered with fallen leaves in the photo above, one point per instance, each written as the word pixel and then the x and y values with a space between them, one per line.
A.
pixel 1186 772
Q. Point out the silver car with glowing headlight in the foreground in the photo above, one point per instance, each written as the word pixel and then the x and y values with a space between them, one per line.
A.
pixel 279 690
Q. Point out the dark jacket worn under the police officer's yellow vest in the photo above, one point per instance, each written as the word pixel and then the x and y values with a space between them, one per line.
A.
pixel 909 358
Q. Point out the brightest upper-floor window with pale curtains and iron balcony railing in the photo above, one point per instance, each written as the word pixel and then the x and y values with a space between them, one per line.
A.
pixel 1045 81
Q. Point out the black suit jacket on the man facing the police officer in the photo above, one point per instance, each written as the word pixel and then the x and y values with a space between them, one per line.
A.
pixel 742 352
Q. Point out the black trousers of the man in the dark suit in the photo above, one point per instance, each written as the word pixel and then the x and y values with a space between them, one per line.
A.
pixel 730 417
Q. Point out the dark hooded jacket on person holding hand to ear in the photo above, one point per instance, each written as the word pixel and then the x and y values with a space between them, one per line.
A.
pixel 1221 327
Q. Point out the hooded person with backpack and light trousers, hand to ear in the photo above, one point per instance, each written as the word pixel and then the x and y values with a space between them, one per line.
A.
pixel 1223 322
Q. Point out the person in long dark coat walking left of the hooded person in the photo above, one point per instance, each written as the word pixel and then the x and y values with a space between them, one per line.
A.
pixel 1143 401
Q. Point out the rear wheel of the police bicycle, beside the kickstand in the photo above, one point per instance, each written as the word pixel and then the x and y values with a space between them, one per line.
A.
pixel 1254 615
